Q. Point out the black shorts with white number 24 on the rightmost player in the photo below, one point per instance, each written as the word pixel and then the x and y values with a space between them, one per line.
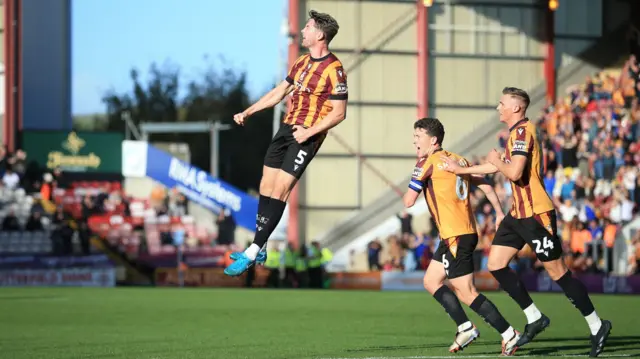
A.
pixel 539 232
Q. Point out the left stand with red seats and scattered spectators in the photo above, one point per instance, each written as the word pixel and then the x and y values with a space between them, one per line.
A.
pixel 48 216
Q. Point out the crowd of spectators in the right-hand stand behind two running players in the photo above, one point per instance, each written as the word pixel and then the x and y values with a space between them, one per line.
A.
pixel 591 149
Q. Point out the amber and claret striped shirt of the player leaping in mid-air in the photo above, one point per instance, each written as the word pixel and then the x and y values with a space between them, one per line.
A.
pixel 315 81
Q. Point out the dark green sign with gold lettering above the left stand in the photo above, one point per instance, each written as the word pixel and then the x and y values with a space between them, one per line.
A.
pixel 75 151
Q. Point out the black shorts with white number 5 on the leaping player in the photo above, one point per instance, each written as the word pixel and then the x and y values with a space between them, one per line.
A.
pixel 287 154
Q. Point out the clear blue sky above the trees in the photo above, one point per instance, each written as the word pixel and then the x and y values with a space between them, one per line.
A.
pixel 110 37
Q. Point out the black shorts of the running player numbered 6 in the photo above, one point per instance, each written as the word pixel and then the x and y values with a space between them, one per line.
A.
pixel 456 254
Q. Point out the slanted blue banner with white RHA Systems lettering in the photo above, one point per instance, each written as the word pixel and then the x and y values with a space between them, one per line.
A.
pixel 200 187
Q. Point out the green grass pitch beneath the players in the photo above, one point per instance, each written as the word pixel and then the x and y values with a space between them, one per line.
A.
pixel 162 323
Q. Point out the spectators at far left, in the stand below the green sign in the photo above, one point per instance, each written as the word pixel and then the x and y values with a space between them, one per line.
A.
pixel 28 208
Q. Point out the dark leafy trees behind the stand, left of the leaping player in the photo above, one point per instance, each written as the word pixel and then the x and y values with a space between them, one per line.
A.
pixel 219 90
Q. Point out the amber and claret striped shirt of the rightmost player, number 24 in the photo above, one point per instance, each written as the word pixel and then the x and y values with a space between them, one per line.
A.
pixel 529 195
